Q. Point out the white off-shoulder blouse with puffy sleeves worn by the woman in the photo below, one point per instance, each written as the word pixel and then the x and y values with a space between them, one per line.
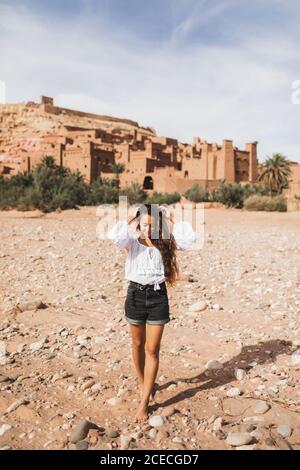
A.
pixel 144 264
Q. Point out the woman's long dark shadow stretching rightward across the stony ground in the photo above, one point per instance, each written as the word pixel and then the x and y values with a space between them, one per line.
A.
pixel 262 353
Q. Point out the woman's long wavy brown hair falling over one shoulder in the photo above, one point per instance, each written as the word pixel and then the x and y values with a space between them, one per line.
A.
pixel 163 240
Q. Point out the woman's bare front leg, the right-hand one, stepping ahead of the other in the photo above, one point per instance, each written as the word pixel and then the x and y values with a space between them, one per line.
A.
pixel 152 348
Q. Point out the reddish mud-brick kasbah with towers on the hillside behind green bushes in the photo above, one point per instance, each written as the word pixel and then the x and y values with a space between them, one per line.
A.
pixel 91 143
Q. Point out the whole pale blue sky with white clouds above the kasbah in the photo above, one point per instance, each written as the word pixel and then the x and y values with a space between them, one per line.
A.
pixel 215 69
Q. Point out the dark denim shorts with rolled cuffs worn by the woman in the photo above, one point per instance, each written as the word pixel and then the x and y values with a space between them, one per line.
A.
pixel 143 304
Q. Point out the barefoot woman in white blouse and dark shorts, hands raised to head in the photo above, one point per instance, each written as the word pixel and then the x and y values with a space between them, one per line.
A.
pixel 150 265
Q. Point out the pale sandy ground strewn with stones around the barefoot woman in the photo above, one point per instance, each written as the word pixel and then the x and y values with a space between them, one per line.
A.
pixel 72 360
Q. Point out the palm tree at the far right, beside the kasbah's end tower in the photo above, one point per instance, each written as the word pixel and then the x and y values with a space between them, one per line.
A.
pixel 275 173
